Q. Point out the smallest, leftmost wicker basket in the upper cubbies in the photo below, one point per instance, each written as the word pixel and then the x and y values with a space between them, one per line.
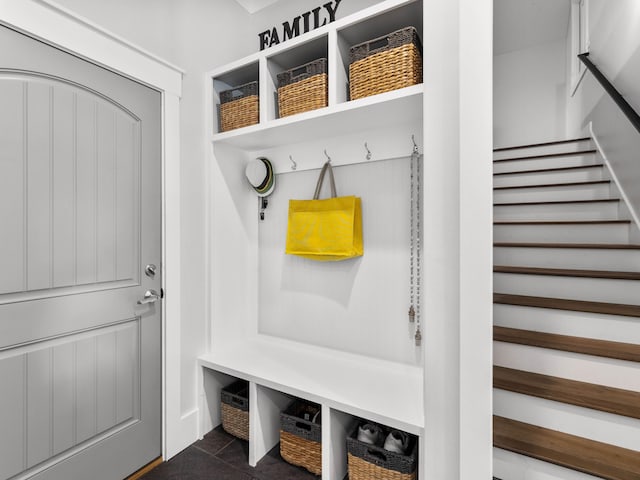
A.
pixel 239 107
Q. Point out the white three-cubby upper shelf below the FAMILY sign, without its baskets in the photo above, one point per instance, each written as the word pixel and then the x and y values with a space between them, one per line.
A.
pixel 341 115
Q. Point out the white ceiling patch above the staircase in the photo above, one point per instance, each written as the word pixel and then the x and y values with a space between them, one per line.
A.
pixel 519 24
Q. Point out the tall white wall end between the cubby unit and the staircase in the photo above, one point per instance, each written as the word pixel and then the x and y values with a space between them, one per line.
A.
pixel 457 39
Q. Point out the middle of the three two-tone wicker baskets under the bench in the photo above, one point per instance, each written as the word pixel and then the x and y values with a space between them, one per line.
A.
pixel 300 436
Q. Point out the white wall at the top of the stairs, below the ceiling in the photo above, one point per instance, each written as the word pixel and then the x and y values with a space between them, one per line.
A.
pixel 530 95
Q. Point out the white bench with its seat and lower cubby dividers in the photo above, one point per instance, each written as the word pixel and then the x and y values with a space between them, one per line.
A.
pixel 347 386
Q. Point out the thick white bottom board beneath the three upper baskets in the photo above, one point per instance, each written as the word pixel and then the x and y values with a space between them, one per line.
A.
pixel 398 106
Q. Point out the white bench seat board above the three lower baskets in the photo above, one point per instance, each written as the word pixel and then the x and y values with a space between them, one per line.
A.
pixel 361 386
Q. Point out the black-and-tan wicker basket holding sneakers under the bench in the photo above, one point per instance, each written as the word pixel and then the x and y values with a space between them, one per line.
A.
pixel 372 462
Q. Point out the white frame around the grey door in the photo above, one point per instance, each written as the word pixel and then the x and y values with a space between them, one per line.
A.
pixel 59 27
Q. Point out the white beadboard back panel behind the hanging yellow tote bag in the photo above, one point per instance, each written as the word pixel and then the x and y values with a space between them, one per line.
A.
pixel 359 305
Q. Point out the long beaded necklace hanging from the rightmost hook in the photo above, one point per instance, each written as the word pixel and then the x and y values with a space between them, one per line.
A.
pixel 415 246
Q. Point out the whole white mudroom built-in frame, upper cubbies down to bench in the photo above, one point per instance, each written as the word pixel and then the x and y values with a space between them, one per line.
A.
pixel 347 385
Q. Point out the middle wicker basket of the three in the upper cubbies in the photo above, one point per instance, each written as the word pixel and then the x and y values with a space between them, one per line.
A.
pixel 303 88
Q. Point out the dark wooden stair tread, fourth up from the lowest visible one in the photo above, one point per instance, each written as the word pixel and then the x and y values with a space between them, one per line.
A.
pixel 565 304
